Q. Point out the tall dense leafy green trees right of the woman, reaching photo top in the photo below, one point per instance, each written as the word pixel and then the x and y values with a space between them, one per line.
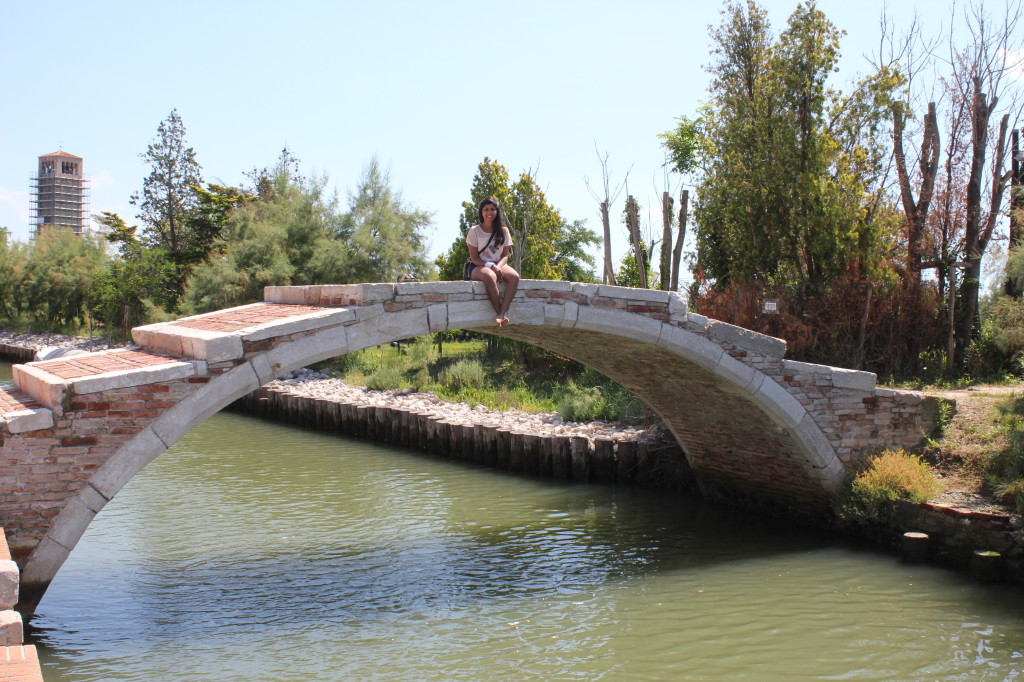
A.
pixel 791 167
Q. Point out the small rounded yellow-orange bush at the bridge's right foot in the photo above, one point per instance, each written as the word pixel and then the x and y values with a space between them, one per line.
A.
pixel 892 476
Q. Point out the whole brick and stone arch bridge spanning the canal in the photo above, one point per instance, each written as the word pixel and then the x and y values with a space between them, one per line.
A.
pixel 756 429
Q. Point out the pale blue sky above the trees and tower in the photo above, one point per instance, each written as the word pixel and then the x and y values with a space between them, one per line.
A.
pixel 430 89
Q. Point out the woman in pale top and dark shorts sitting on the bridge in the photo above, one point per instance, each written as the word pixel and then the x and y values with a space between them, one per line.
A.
pixel 489 249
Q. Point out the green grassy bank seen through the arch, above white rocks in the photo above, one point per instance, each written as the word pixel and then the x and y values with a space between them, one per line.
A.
pixel 486 372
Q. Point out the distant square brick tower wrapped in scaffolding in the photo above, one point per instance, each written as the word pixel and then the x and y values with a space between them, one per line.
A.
pixel 60 194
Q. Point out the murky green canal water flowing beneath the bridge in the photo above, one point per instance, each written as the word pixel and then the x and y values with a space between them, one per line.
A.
pixel 255 551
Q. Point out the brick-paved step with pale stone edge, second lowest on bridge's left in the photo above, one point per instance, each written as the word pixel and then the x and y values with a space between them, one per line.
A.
pixel 52 382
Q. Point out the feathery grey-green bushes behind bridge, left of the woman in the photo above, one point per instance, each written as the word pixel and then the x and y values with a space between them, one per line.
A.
pixel 297 235
